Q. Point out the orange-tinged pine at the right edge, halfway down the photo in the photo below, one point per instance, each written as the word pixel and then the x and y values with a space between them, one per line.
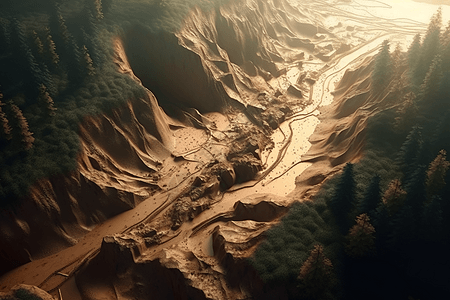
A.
pixel 436 174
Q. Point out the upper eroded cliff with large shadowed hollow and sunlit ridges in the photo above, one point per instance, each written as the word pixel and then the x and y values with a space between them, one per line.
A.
pixel 228 56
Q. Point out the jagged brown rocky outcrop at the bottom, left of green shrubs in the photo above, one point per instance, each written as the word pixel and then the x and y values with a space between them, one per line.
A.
pixel 178 266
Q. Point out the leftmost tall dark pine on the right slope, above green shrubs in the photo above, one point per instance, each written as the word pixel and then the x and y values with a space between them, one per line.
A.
pixel 344 199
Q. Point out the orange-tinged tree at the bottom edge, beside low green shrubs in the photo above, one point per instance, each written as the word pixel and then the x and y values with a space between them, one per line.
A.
pixel 315 274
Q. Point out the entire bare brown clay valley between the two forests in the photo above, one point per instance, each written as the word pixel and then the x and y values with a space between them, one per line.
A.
pixel 248 107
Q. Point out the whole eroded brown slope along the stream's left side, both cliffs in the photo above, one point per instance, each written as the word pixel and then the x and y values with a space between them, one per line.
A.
pixel 235 56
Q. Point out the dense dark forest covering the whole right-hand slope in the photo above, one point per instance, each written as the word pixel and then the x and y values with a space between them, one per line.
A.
pixel 389 213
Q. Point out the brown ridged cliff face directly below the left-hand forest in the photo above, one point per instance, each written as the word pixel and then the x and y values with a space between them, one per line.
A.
pixel 120 154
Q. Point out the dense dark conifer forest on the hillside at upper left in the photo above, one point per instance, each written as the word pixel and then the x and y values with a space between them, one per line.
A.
pixel 55 70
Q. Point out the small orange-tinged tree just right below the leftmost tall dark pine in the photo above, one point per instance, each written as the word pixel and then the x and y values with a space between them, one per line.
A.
pixel 360 238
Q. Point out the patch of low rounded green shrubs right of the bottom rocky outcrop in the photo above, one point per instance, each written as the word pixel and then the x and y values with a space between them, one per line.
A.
pixel 279 258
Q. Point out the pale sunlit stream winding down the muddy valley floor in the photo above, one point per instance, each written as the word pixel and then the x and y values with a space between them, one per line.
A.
pixel 283 163
